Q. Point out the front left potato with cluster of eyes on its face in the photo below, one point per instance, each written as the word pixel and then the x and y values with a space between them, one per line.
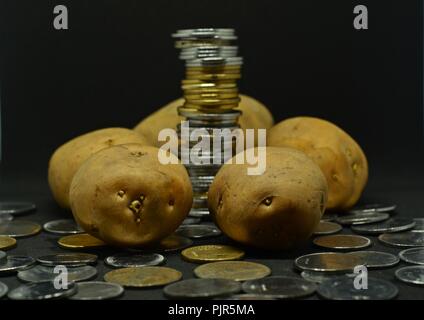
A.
pixel 124 196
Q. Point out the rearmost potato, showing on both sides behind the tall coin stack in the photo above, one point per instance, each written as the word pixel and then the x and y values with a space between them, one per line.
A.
pixel 255 116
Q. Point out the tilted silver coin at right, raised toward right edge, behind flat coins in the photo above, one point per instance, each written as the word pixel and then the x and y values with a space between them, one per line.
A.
pixel 388 226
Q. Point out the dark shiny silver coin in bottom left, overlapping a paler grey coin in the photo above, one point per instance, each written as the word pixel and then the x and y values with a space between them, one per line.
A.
pixel 42 291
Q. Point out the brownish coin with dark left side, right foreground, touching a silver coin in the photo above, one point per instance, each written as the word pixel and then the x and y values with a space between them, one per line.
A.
pixel 327 262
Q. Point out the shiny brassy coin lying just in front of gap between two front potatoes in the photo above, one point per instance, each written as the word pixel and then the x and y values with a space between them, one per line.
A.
pixel 212 253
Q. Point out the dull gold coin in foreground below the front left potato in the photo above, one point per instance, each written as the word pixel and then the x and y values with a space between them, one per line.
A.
pixel 143 276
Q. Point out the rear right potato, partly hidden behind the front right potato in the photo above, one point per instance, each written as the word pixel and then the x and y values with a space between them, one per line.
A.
pixel 340 158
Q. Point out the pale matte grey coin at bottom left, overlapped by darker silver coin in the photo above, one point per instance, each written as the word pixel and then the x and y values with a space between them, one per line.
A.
pixel 97 290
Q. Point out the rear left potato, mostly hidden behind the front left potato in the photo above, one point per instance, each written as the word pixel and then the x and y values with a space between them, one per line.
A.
pixel 66 160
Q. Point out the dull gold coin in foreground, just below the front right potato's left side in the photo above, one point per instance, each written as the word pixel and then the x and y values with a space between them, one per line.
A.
pixel 232 270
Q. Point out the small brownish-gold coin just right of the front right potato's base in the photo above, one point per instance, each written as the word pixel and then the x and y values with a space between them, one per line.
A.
pixel 342 242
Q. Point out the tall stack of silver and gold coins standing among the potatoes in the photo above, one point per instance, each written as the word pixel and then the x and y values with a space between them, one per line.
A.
pixel 211 96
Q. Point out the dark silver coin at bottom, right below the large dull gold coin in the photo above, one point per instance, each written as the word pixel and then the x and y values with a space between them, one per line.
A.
pixel 280 287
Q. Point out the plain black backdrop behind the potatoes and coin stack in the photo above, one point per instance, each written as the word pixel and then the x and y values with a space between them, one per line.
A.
pixel 116 64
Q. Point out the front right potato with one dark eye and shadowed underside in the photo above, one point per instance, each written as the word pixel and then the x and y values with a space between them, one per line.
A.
pixel 279 209
